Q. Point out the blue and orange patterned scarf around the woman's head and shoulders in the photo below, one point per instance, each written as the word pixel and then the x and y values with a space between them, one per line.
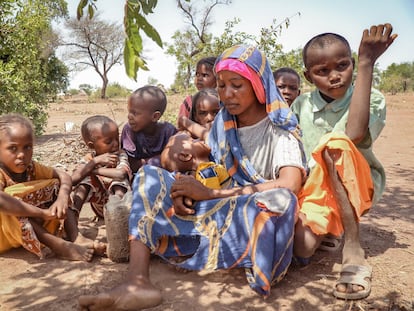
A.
pixel 229 150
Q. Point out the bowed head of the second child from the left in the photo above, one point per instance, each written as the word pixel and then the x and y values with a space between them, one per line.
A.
pixel 101 134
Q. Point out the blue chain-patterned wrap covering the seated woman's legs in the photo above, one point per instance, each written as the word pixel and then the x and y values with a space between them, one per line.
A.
pixel 225 233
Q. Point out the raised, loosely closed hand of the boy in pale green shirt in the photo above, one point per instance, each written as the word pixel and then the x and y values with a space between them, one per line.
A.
pixel 374 43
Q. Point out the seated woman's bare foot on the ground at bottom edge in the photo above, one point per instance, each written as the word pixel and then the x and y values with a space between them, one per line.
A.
pixel 131 295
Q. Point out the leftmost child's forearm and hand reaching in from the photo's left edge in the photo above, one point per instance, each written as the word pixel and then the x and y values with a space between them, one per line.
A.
pixel 12 206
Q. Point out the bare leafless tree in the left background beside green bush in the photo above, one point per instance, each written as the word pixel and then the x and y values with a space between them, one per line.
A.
pixel 94 43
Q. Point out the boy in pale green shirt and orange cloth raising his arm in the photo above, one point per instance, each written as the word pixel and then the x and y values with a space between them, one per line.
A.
pixel 340 122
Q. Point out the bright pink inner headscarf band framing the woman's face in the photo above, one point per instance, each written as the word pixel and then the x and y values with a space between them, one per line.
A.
pixel 245 71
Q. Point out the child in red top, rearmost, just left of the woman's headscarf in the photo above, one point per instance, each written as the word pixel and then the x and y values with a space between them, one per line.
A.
pixel 204 78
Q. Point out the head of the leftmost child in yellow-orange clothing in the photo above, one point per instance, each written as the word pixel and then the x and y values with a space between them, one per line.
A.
pixel 16 142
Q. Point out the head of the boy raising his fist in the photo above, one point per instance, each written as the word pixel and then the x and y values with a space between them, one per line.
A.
pixel 329 64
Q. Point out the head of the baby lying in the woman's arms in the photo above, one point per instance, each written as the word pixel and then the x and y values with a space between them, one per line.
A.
pixel 183 153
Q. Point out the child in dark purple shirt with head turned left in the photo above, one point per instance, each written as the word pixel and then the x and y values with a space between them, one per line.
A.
pixel 144 136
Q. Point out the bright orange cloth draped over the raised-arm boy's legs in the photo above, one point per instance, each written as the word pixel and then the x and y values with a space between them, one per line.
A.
pixel 316 200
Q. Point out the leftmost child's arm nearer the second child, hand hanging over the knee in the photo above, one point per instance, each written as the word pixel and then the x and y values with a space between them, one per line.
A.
pixel 60 206
